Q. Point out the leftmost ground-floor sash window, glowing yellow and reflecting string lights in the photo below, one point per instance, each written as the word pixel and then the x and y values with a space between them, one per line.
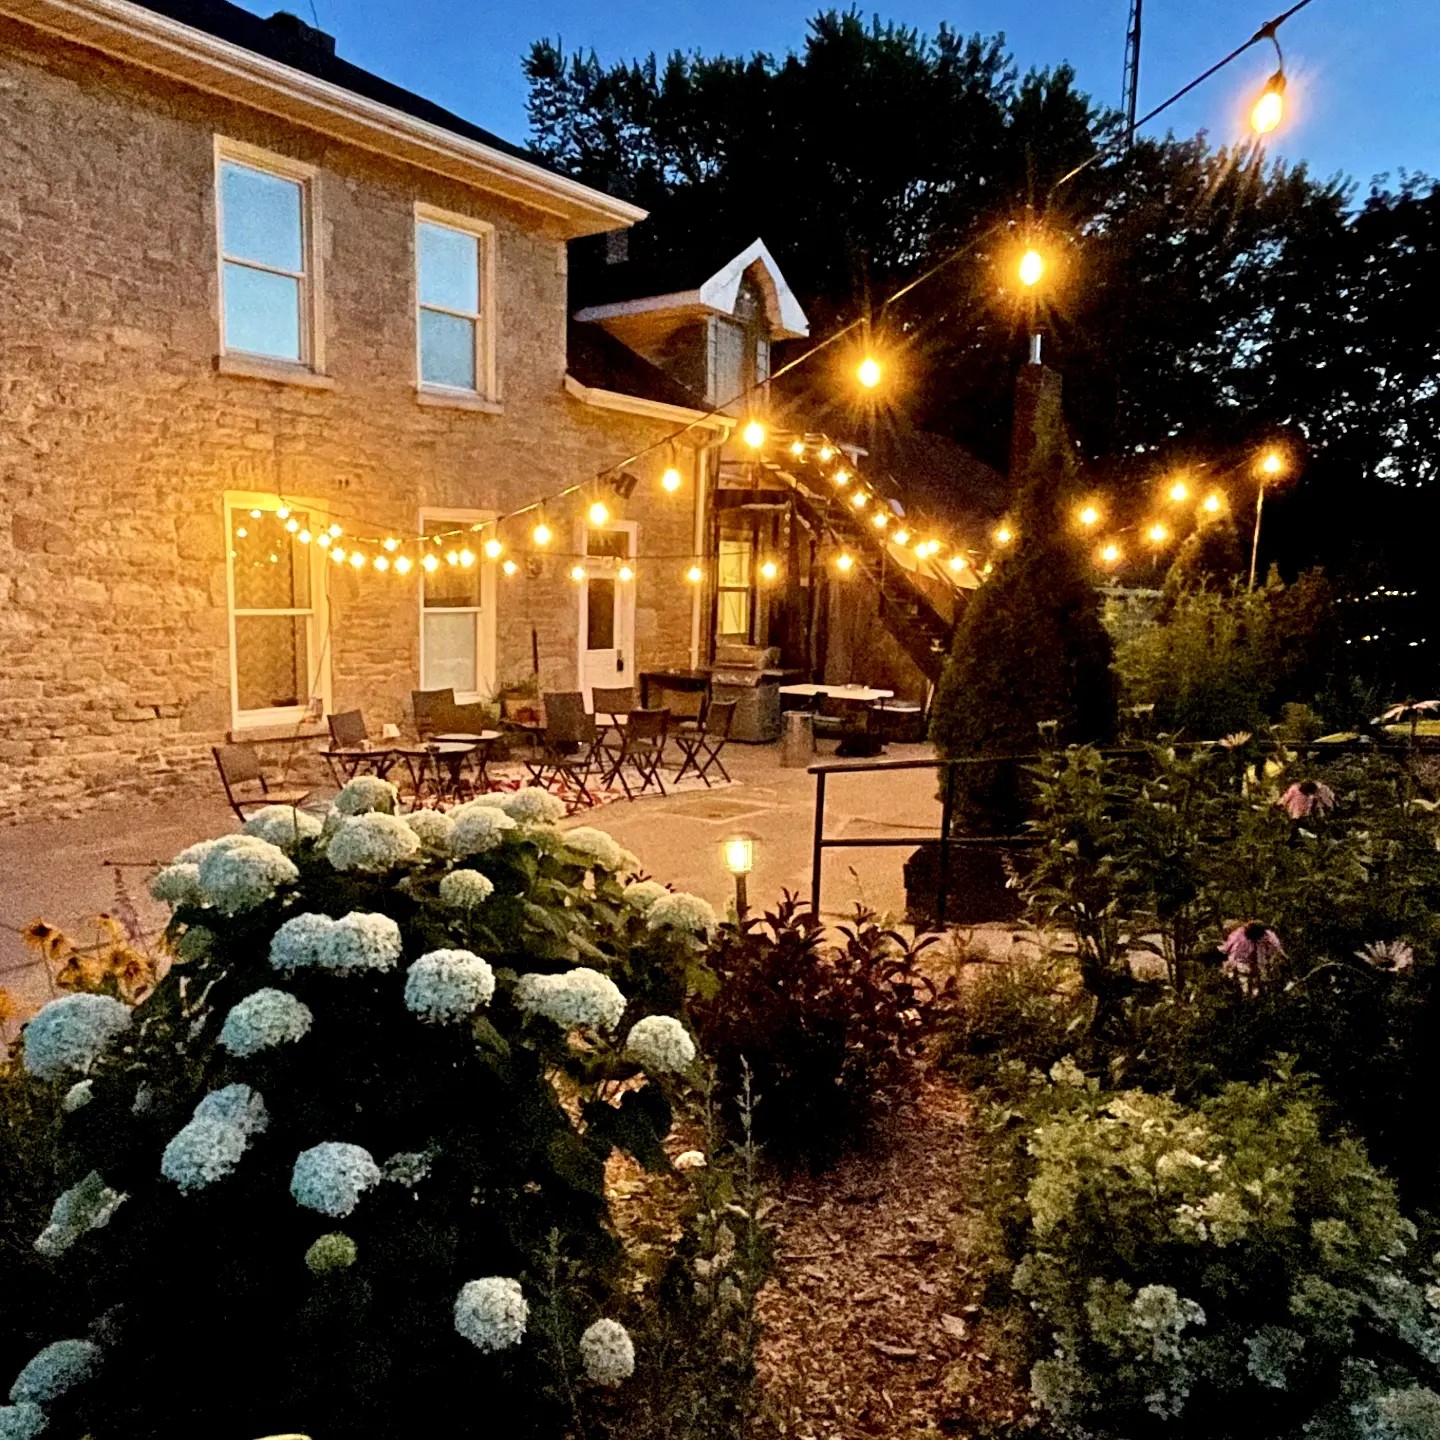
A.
pixel 273 616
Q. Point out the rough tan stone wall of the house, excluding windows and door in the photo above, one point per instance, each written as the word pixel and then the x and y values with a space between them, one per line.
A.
pixel 119 438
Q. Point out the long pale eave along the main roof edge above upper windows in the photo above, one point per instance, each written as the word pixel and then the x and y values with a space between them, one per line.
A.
pixel 159 44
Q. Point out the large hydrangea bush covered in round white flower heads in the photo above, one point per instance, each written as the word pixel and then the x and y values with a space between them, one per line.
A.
pixel 349 1131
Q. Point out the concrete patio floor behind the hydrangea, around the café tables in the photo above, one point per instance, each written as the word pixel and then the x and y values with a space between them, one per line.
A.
pixel 66 870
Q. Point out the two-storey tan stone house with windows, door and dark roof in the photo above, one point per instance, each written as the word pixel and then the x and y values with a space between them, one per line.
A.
pixel 286 364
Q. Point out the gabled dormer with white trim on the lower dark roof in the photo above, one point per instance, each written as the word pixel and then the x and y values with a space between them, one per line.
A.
pixel 714 338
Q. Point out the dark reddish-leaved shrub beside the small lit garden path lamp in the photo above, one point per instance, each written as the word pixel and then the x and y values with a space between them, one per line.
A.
pixel 832 1035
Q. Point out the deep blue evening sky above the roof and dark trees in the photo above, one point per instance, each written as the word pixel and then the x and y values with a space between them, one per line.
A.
pixel 1362 71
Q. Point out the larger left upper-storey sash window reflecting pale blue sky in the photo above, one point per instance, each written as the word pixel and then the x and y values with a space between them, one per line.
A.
pixel 267 274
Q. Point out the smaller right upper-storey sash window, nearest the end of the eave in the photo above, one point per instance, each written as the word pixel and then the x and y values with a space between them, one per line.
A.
pixel 454 305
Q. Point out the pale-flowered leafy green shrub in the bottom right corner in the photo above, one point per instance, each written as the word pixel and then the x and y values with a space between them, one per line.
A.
pixel 1218 1272
